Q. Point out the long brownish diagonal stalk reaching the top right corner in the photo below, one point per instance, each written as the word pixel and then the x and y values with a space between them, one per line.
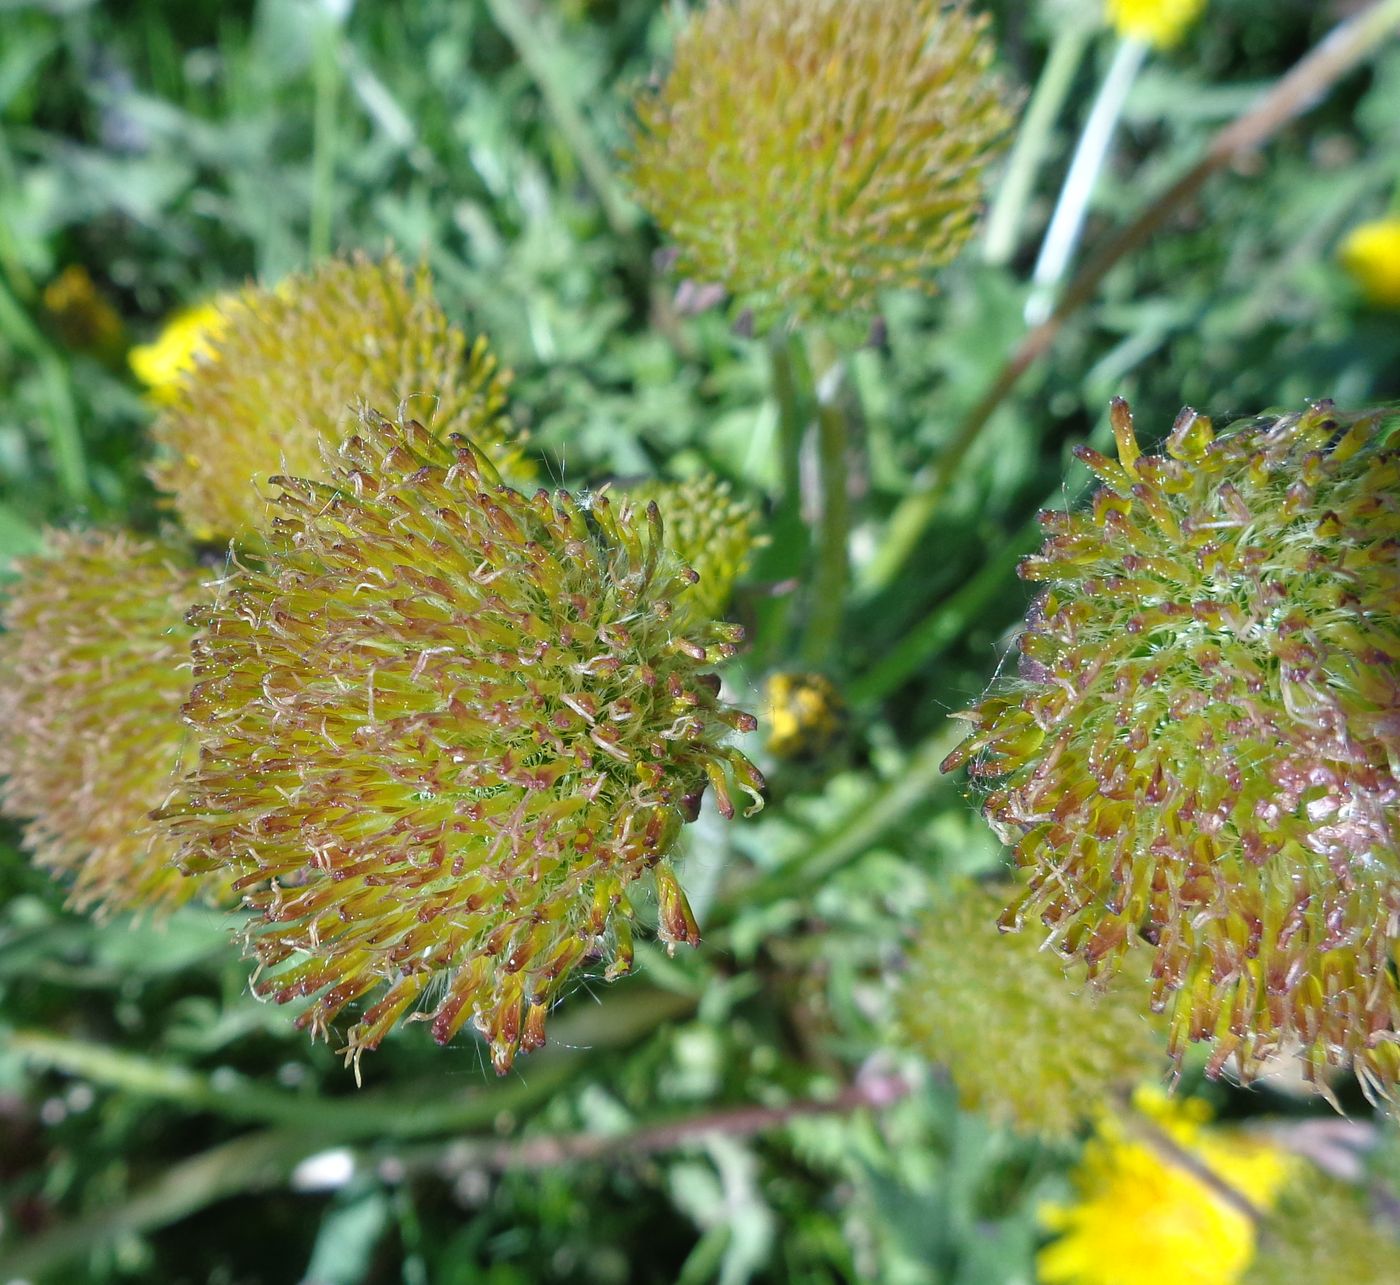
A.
pixel 1300 90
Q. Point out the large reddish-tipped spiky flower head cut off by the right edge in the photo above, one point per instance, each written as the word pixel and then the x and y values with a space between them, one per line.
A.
pixel 1205 738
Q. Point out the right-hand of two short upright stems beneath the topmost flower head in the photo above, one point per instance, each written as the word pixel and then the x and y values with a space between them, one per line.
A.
pixel 827 601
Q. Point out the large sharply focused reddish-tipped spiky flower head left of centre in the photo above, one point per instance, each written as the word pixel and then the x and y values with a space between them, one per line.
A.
pixel 443 731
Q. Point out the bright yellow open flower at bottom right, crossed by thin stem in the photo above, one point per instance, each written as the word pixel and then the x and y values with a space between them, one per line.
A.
pixel 1143 1220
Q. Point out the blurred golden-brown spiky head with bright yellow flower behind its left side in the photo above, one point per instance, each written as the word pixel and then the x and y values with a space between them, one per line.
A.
pixel 288 370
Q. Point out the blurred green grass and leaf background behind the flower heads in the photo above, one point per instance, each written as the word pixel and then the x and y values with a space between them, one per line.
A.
pixel 156 1122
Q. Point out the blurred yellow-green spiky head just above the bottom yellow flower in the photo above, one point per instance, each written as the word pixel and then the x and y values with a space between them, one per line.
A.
pixel 1023 1037
